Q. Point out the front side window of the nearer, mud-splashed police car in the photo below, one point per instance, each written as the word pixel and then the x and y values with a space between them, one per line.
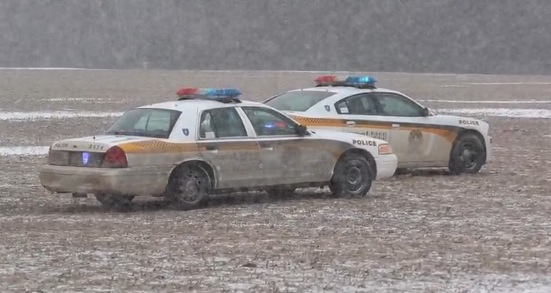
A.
pixel 269 122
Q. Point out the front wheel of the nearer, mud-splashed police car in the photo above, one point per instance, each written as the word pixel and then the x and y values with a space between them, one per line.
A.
pixel 353 177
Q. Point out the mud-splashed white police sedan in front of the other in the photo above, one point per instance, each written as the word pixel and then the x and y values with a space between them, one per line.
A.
pixel 210 141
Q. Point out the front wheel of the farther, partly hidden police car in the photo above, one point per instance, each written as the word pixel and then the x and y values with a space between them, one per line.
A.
pixel 468 155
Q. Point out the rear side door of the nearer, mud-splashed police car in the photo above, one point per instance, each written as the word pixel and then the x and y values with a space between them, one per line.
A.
pixel 226 144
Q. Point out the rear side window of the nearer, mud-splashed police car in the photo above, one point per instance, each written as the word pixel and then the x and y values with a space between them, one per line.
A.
pixel 221 123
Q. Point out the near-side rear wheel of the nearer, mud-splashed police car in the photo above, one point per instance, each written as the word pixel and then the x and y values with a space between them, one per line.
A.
pixel 189 187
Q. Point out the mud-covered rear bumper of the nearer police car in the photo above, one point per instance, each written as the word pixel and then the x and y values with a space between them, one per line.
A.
pixel 127 181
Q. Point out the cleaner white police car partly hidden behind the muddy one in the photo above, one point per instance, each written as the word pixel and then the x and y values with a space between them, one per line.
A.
pixel 419 137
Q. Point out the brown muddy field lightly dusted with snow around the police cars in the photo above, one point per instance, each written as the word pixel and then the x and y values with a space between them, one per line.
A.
pixel 420 232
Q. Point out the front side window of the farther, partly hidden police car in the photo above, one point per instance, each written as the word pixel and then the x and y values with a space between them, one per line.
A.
pixel 397 105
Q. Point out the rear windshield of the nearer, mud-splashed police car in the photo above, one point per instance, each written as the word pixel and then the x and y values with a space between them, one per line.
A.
pixel 148 122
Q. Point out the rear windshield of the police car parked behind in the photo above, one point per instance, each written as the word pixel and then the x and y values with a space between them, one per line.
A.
pixel 298 100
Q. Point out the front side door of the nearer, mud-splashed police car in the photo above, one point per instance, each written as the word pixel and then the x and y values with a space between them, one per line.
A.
pixel 287 157
